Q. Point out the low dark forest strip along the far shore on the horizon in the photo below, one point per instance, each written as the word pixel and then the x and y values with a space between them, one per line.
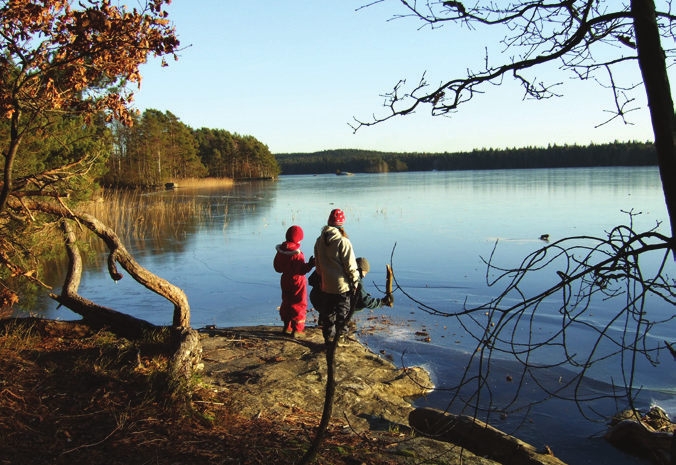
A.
pixel 553 156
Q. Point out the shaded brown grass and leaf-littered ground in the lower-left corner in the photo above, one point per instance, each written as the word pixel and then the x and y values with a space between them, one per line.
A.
pixel 78 398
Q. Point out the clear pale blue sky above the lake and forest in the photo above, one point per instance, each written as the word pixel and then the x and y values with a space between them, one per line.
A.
pixel 295 74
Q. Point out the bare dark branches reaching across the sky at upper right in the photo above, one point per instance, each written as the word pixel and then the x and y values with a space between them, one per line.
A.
pixel 542 32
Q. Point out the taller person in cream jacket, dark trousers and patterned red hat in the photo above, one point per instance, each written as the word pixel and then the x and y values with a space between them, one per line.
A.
pixel 336 264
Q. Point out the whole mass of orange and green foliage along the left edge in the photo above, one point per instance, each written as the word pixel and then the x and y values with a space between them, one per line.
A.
pixel 65 68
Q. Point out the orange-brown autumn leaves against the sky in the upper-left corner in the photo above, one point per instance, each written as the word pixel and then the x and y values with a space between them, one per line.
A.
pixel 64 59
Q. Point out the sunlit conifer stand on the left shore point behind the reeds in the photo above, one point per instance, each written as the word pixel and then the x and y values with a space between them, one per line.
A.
pixel 159 148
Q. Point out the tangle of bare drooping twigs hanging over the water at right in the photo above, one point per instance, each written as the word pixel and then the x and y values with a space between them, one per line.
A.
pixel 583 270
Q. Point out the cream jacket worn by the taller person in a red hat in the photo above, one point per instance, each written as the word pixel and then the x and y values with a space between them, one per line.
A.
pixel 335 261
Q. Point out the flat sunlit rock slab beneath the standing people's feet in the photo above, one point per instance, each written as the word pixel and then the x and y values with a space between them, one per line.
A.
pixel 270 373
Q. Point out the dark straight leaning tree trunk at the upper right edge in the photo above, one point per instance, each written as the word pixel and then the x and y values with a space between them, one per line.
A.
pixel 652 61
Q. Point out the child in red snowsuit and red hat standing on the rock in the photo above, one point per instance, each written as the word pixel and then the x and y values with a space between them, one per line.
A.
pixel 290 261
